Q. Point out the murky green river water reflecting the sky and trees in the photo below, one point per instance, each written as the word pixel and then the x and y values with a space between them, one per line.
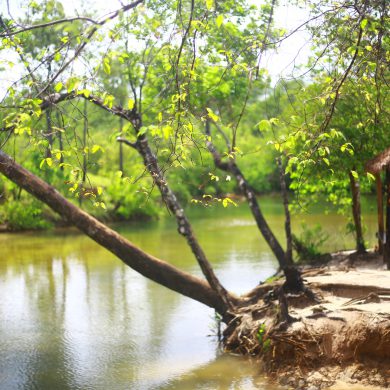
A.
pixel 73 317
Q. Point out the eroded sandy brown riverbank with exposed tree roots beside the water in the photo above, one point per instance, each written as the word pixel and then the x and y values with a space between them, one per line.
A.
pixel 341 342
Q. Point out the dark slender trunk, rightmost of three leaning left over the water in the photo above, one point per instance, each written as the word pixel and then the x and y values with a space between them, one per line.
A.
pixel 250 195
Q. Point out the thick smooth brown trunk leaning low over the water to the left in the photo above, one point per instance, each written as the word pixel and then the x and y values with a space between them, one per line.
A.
pixel 147 265
